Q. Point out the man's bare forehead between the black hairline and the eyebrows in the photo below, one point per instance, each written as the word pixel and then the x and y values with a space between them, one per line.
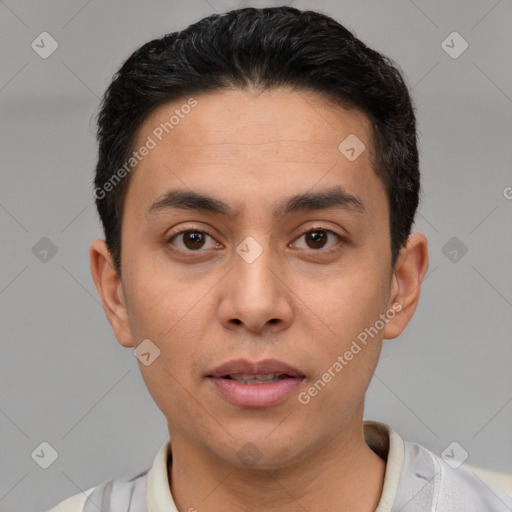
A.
pixel 249 146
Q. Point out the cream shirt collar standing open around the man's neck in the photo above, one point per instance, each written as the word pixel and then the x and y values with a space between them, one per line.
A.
pixel 381 438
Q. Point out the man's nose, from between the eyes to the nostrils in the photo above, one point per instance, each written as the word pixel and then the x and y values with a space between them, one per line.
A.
pixel 256 296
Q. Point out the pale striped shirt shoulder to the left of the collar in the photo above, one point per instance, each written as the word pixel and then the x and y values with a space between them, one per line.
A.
pixel 119 495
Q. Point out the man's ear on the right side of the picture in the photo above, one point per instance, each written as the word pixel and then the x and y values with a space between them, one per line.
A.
pixel 410 269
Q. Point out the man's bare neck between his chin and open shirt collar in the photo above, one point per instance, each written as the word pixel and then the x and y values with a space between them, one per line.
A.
pixel 343 474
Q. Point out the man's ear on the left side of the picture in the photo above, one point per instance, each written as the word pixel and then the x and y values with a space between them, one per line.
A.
pixel 109 286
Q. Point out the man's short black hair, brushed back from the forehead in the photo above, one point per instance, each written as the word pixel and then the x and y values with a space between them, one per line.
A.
pixel 261 48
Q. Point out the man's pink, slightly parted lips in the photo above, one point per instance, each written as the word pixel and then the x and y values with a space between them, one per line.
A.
pixel 255 395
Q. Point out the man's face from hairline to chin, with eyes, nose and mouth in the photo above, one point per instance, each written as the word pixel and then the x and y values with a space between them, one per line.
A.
pixel 237 278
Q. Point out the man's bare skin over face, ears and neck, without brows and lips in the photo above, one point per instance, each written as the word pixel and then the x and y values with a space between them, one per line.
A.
pixel 298 302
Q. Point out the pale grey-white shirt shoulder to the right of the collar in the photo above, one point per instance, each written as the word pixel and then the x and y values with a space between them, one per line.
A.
pixel 449 485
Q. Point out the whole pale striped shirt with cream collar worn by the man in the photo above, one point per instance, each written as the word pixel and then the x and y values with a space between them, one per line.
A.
pixel 416 480
